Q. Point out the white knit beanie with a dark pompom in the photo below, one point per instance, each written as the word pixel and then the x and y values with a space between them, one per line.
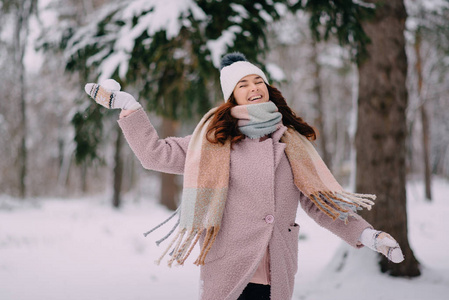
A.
pixel 234 67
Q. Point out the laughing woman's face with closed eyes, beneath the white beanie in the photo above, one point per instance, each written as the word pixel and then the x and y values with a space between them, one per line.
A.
pixel 251 89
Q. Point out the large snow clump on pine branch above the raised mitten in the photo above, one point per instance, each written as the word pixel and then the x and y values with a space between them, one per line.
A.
pixel 114 46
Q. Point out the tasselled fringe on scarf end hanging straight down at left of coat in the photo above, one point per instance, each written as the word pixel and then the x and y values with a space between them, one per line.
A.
pixel 184 244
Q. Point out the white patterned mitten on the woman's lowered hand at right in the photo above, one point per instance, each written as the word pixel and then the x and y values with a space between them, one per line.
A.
pixel 383 243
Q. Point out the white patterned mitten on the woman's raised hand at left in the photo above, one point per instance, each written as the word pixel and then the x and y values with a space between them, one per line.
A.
pixel 108 95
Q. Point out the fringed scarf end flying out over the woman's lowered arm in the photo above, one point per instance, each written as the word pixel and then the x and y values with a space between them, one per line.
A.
pixel 341 204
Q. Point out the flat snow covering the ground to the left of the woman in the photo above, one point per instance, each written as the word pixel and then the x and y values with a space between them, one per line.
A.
pixel 83 249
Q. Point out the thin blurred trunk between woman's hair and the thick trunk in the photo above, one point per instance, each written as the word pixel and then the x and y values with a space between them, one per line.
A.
pixel 320 106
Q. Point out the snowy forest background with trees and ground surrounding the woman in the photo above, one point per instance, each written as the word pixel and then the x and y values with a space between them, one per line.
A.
pixel 369 75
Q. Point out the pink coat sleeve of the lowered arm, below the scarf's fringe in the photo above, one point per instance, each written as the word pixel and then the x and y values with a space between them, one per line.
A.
pixel 349 232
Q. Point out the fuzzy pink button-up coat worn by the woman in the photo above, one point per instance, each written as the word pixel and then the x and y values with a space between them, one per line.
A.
pixel 260 210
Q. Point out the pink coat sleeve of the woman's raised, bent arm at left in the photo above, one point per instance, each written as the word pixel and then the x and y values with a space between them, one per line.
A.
pixel 163 155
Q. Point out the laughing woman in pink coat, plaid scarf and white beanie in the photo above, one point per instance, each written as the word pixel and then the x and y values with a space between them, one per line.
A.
pixel 245 167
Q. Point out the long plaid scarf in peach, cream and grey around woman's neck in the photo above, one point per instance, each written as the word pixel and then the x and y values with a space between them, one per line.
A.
pixel 205 188
